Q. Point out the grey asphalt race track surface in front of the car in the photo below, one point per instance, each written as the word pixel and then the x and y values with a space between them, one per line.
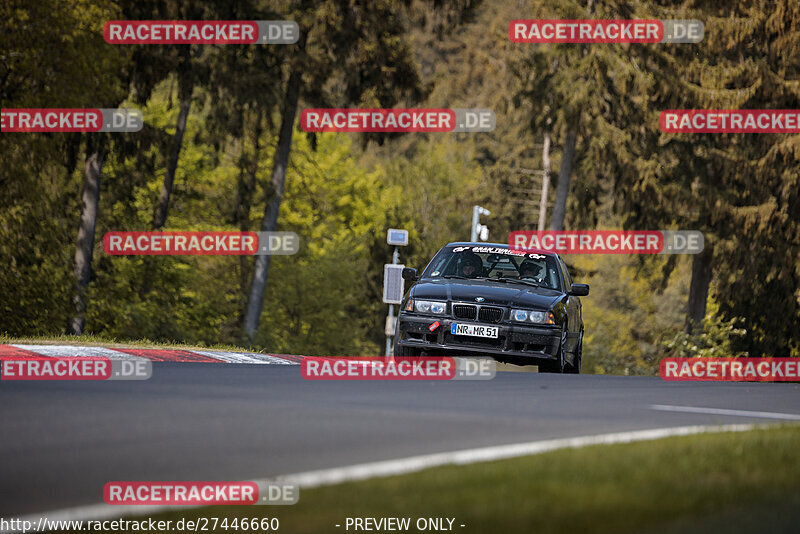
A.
pixel 62 441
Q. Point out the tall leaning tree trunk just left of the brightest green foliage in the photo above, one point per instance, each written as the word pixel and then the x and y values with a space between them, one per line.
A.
pixel 255 301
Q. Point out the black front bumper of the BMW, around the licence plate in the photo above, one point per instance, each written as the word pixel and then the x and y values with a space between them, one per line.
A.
pixel 540 342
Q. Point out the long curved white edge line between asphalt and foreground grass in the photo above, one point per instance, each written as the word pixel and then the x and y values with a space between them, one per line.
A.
pixel 326 477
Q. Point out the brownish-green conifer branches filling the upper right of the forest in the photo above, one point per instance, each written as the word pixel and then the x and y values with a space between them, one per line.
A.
pixel 739 190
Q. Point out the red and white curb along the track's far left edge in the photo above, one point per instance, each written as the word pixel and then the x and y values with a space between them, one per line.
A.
pixel 156 355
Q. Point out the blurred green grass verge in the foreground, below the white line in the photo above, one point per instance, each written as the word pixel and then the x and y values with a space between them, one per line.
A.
pixel 726 482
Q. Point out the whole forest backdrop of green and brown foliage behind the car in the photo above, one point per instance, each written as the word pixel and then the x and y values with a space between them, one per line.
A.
pixel 344 191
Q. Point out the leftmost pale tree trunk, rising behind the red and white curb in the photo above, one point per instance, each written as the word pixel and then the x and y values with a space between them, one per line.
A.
pixel 85 243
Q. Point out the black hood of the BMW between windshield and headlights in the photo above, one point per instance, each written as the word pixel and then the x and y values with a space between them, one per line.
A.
pixel 498 293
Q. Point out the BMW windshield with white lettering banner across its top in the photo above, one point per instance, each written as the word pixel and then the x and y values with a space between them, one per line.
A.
pixel 496 263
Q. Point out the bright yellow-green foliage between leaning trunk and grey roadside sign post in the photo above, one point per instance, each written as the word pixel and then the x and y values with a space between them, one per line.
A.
pixel 317 300
